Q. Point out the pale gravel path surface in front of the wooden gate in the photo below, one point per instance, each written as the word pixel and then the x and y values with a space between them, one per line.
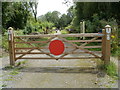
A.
pixel 77 73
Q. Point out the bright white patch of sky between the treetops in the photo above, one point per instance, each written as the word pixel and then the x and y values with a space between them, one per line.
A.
pixel 45 6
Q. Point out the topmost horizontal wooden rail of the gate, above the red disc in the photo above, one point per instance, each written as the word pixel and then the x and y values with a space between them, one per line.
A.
pixel 61 35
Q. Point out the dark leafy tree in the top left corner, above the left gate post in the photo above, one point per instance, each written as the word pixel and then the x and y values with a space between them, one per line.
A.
pixel 15 14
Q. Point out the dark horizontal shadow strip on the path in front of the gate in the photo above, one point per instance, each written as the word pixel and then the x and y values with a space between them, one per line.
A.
pixel 60 70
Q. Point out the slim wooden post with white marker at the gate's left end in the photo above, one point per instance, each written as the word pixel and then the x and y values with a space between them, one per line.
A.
pixel 11 47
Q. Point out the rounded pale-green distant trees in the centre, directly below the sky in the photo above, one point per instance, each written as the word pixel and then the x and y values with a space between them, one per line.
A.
pixel 56 18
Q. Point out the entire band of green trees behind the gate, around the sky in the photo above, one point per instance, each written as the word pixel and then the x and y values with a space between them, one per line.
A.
pixel 95 14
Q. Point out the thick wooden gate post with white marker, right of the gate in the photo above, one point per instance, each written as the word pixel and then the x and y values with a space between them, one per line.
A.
pixel 106 44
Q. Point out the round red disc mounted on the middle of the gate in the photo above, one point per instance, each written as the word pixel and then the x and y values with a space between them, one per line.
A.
pixel 56 47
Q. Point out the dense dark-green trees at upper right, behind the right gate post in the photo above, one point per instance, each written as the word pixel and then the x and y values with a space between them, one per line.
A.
pixel 94 13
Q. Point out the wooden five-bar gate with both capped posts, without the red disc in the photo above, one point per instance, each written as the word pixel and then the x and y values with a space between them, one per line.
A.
pixel 24 46
